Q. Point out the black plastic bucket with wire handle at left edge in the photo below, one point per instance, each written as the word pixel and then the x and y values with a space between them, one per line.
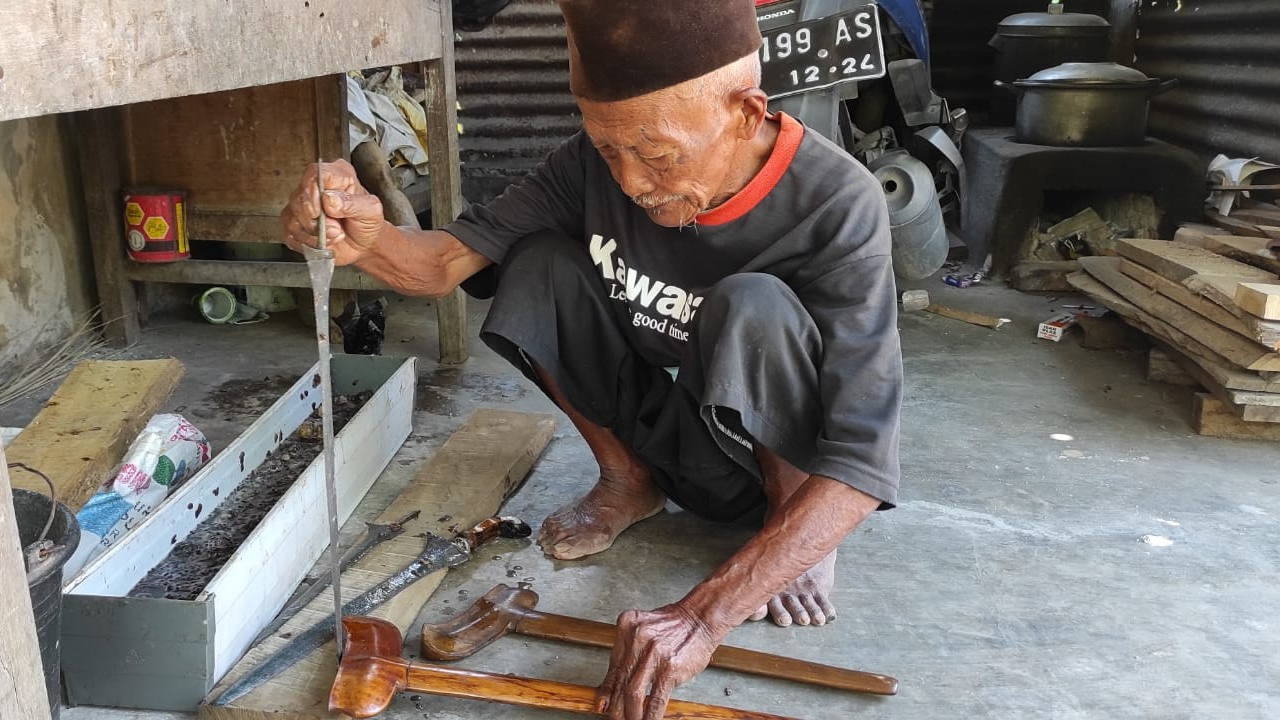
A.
pixel 45 580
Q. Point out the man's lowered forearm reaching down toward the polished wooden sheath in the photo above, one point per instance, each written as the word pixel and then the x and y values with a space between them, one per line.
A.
pixel 799 535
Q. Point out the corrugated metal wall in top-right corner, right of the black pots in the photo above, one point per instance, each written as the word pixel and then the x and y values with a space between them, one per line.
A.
pixel 1227 58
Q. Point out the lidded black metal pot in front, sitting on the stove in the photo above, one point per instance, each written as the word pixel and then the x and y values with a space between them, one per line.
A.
pixel 1085 104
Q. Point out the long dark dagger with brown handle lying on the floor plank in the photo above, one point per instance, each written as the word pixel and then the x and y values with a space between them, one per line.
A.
pixel 438 555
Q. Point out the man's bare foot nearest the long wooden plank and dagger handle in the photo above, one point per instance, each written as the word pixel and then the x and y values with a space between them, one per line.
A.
pixel 592 523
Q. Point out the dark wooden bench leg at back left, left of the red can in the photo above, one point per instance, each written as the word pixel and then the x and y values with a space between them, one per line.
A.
pixel 99 135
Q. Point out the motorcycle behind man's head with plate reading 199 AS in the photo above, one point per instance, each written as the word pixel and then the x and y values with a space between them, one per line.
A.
pixel 858 74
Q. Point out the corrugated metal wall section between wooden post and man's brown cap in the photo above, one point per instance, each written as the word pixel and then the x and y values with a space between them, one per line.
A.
pixel 514 89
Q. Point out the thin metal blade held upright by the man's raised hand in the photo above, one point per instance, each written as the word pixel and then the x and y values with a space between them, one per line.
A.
pixel 321 267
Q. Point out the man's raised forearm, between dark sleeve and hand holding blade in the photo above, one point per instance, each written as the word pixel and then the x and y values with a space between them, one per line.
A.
pixel 420 263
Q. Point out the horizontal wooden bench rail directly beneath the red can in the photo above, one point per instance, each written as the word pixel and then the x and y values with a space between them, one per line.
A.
pixel 276 274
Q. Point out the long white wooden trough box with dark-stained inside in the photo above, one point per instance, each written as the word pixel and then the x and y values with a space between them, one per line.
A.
pixel 167 655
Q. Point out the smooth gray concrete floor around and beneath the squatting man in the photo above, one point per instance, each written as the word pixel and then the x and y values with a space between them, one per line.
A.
pixel 1012 582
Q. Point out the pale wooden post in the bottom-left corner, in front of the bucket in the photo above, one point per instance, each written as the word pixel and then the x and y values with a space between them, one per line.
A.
pixel 24 694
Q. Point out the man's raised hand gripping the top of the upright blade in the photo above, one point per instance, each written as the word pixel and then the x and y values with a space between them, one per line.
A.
pixel 355 222
